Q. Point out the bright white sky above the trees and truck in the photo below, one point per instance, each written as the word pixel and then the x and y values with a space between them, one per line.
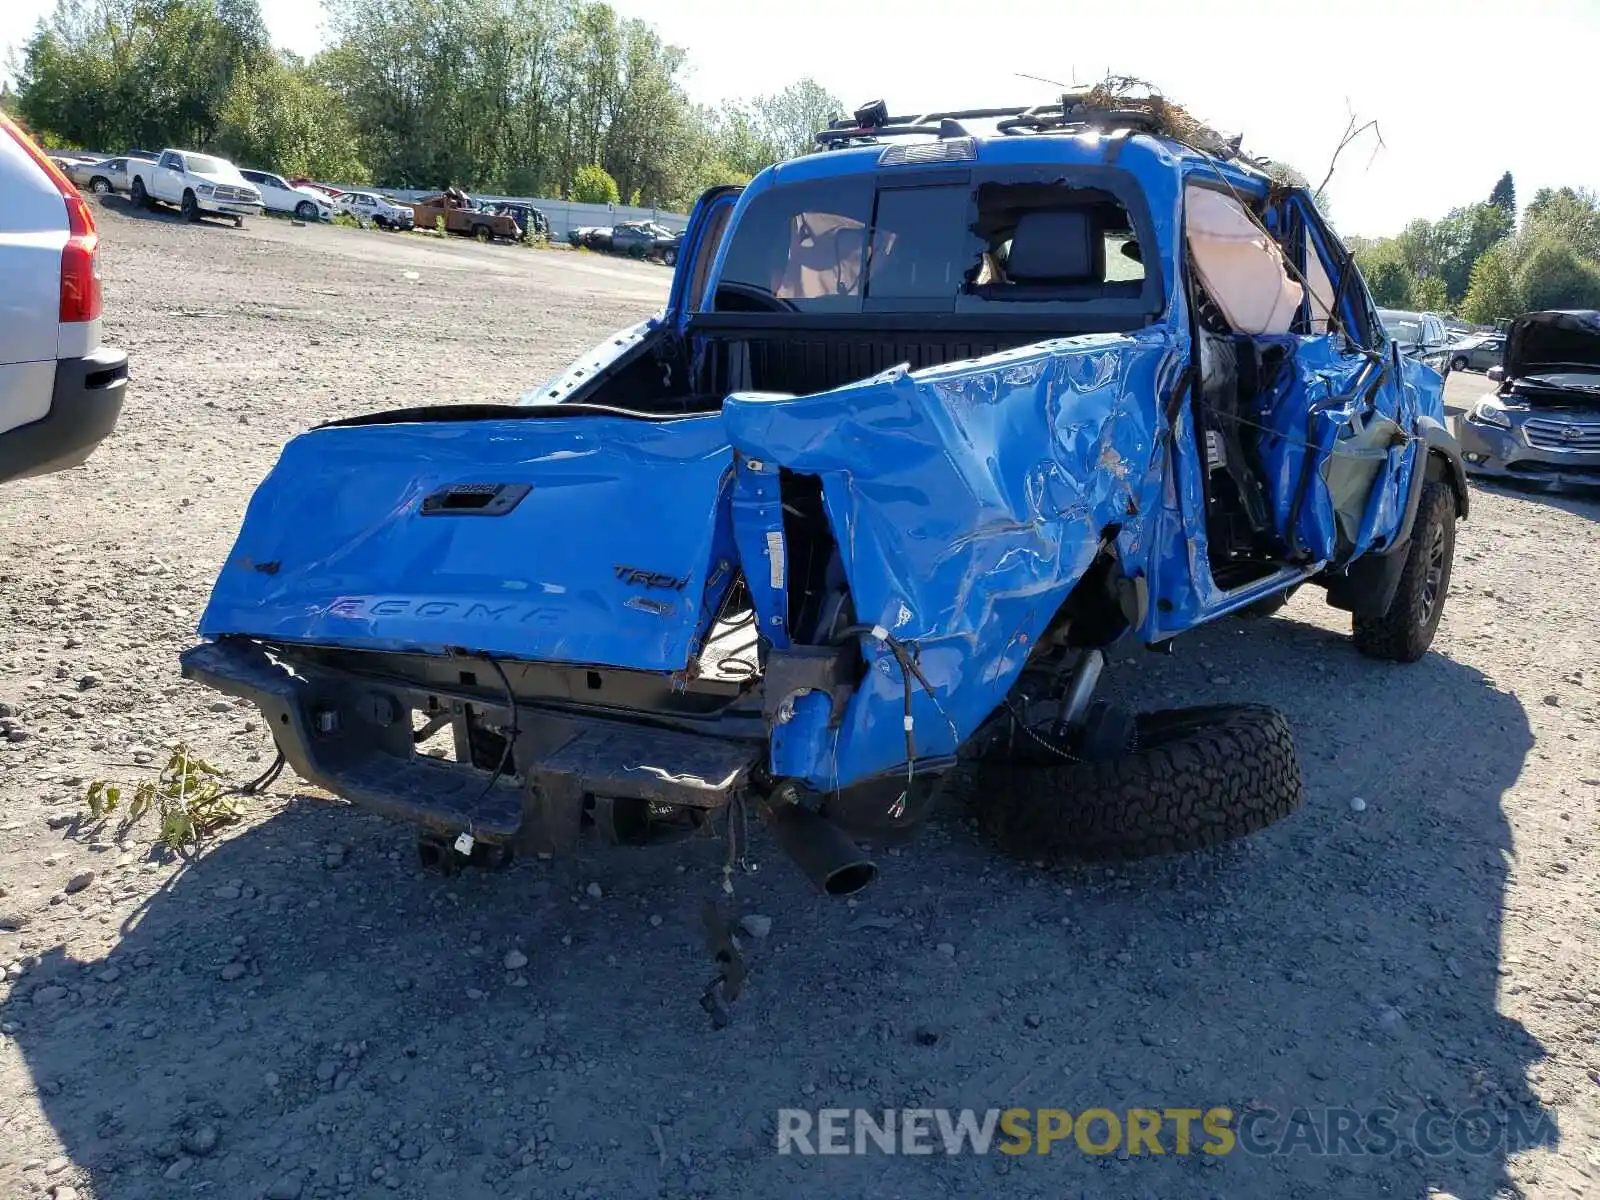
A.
pixel 1463 90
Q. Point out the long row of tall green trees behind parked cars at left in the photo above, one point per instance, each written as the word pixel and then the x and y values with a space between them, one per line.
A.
pixel 516 97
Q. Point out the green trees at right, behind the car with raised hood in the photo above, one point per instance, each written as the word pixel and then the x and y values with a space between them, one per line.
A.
pixel 1482 265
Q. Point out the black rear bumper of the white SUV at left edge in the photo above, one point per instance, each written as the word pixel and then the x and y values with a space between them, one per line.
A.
pixel 84 410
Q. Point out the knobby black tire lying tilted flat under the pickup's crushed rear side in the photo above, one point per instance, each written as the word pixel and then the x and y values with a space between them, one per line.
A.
pixel 1196 778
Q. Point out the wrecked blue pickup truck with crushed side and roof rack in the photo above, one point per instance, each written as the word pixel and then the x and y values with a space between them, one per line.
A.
pixel 930 418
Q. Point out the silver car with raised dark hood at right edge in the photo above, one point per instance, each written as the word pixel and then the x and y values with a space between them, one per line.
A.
pixel 1542 425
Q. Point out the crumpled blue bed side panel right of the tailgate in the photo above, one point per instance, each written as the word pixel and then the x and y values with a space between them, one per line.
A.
pixel 967 502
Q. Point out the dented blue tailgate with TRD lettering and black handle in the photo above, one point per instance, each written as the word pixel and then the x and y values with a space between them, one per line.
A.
pixel 604 561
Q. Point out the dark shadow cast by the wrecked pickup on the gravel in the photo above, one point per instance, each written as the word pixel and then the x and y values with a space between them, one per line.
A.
pixel 303 1014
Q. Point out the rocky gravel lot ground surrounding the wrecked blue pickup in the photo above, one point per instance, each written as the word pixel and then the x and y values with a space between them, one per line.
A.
pixel 302 1014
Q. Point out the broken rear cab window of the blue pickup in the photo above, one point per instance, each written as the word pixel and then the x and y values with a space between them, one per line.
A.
pixel 905 244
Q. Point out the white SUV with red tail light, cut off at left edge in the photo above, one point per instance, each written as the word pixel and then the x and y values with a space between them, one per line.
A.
pixel 60 390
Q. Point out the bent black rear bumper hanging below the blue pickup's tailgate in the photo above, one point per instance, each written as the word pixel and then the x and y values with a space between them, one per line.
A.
pixel 353 735
